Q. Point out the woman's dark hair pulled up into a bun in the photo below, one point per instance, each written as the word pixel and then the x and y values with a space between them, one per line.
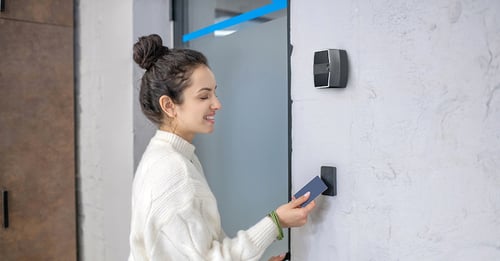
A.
pixel 167 73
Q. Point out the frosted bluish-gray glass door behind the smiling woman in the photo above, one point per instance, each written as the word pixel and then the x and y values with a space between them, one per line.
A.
pixel 246 159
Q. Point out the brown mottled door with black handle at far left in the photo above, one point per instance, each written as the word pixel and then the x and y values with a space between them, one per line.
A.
pixel 37 147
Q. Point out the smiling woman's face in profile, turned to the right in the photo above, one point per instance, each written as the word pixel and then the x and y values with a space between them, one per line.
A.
pixel 196 114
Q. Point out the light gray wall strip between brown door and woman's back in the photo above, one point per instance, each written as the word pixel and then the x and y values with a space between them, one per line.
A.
pixel 112 133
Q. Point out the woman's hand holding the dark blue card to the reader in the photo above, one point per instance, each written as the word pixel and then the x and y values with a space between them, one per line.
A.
pixel 292 215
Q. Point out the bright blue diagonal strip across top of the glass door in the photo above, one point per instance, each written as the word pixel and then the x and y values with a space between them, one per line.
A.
pixel 275 5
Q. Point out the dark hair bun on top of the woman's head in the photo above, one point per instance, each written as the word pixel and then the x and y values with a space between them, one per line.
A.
pixel 148 49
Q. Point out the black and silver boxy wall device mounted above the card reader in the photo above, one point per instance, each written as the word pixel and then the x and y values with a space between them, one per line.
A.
pixel 330 68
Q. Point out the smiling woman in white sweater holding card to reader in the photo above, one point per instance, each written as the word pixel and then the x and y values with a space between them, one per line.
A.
pixel 174 213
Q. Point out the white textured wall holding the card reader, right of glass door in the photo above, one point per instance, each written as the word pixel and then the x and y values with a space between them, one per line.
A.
pixel 415 136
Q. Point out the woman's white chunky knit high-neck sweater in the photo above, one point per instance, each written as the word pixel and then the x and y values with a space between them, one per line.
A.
pixel 175 215
